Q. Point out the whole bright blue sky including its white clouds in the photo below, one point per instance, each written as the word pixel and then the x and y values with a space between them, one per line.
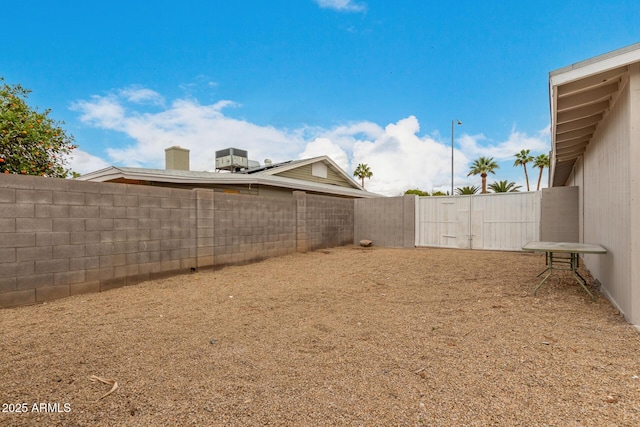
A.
pixel 373 82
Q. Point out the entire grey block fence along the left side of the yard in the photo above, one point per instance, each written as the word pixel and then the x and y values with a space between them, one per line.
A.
pixel 65 237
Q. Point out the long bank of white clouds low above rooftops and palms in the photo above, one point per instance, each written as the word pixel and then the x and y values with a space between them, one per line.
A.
pixel 399 157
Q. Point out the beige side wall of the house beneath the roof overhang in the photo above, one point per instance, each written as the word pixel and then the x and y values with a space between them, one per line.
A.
pixel 609 202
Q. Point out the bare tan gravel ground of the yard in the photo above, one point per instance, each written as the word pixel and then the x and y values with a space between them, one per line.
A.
pixel 345 336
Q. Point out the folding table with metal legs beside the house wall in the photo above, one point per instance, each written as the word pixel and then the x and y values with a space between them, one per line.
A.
pixel 564 256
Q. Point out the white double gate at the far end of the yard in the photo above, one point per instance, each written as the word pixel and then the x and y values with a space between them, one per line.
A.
pixel 502 221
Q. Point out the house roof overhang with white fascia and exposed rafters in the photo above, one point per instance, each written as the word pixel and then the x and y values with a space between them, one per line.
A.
pixel 581 96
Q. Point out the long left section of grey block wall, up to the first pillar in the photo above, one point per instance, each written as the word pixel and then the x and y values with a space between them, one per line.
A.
pixel 64 237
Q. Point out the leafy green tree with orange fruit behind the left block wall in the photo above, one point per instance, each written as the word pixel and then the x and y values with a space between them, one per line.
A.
pixel 31 143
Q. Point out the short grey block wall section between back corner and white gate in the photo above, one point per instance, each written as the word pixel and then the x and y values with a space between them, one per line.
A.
pixel 388 221
